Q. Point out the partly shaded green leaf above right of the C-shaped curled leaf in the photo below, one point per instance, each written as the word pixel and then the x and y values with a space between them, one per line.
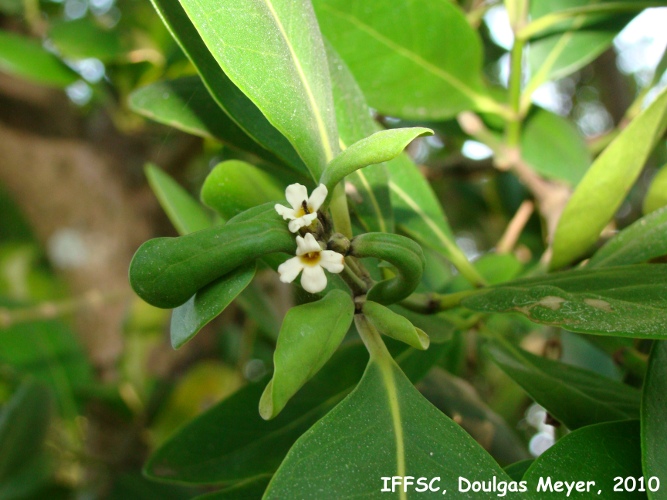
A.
pixel 419 215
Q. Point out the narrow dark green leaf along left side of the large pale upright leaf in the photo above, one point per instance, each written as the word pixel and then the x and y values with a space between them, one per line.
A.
pixel 228 96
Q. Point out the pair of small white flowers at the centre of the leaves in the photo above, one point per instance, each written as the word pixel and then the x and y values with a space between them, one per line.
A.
pixel 311 259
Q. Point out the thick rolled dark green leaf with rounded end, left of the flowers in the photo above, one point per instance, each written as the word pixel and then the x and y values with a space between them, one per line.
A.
pixel 166 272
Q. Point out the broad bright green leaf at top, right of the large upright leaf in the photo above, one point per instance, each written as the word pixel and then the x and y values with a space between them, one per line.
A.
pixel 406 63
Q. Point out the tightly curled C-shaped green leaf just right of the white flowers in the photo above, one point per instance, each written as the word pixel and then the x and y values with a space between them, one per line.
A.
pixel 403 253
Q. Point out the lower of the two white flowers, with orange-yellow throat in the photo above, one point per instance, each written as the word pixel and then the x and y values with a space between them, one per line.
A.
pixel 310 259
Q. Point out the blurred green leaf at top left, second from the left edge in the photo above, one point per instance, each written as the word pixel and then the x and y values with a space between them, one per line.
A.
pixel 83 38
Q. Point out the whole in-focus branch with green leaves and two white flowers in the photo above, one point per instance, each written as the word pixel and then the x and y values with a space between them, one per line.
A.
pixel 287 82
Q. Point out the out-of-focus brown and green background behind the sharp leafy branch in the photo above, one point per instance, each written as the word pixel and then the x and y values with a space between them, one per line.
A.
pixel 88 382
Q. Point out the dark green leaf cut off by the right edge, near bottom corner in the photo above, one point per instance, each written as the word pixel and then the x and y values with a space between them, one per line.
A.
pixel 654 425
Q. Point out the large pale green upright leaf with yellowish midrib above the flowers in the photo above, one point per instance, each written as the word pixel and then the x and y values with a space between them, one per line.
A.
pixel 276 42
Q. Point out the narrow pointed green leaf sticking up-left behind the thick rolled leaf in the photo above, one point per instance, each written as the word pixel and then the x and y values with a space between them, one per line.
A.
pixel 183 211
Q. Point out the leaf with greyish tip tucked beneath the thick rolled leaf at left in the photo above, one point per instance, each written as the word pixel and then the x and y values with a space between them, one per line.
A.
pixel 207 303
